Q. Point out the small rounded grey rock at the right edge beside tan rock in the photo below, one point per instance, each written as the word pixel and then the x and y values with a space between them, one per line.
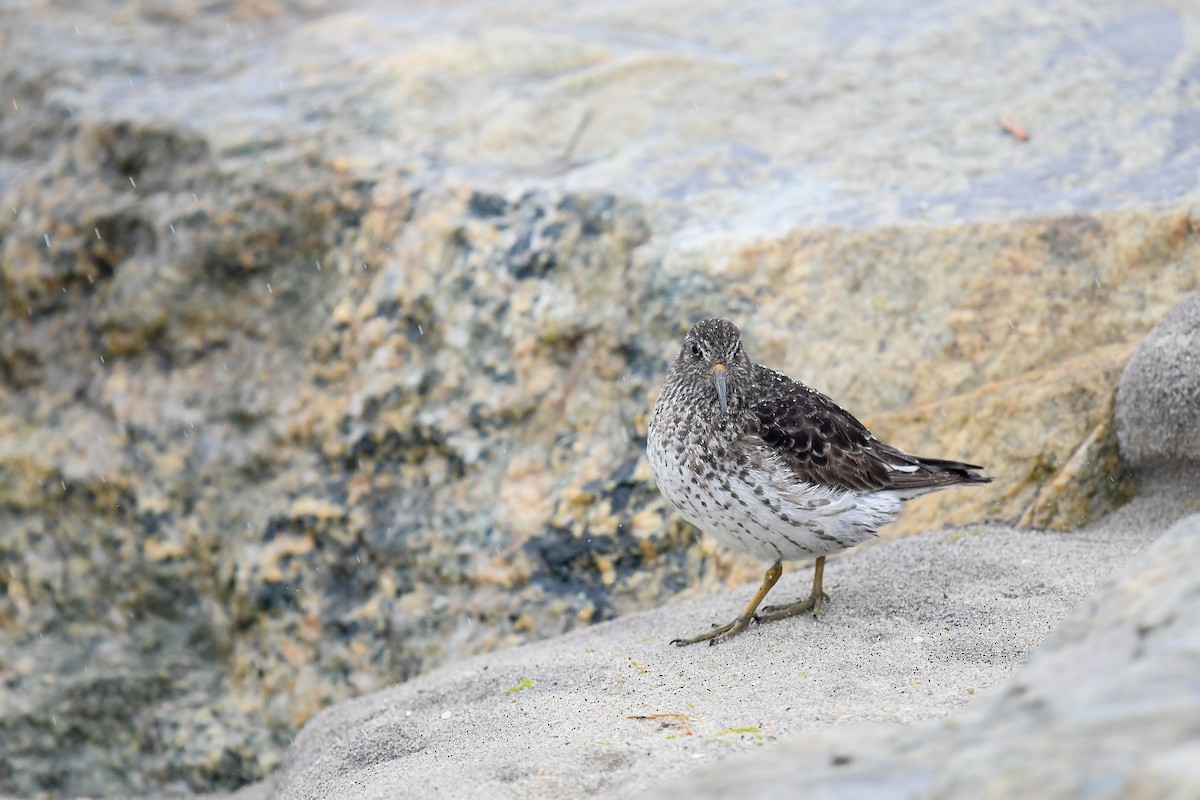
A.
pixel 1159 399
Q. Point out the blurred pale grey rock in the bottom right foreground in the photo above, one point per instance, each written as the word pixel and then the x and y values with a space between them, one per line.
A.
pixel 1108 708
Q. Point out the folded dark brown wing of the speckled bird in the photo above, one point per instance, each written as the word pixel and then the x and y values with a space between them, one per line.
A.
pixel 824 444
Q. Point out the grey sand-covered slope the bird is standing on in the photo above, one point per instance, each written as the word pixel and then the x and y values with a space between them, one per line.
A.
pixel 916 630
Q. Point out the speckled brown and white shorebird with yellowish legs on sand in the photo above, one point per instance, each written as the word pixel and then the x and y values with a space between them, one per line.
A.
pixel 773 468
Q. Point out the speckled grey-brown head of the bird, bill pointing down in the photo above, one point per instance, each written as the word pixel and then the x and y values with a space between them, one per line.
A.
pixel 715 365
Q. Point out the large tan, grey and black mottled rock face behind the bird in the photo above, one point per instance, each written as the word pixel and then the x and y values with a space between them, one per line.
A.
pixel 328 339
